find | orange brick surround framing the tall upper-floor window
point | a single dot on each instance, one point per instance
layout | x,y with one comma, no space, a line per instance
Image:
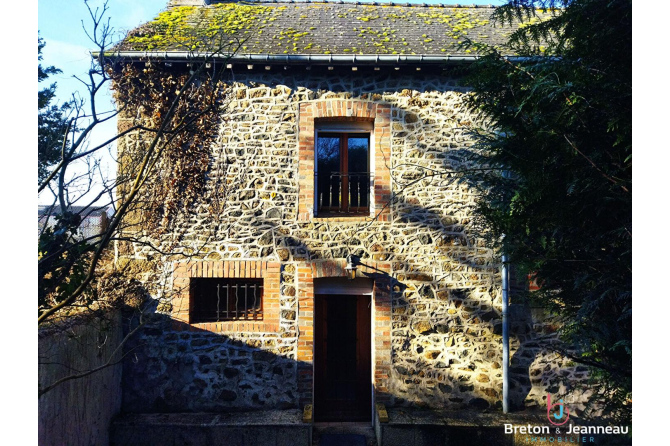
380,148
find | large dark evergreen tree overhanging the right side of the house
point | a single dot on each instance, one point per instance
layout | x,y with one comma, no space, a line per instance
557,134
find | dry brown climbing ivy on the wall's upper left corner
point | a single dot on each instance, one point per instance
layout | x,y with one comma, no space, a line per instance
179,173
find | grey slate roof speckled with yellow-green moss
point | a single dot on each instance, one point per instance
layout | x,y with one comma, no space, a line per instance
316,28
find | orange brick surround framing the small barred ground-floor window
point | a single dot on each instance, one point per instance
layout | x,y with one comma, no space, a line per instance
249,269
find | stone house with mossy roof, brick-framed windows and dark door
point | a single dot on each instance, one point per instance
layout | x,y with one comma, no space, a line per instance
344,145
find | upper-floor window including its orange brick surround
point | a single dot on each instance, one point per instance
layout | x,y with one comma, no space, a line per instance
344,149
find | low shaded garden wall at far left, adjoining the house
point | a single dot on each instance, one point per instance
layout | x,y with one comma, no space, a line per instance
79,412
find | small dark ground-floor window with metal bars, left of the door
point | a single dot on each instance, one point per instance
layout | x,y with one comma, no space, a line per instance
215,300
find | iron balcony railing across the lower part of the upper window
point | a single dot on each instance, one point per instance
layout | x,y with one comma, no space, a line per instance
344,193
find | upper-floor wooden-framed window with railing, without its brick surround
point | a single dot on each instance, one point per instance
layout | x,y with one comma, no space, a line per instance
342,174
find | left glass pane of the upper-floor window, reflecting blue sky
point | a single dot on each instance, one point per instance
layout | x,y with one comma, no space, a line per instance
328,171
